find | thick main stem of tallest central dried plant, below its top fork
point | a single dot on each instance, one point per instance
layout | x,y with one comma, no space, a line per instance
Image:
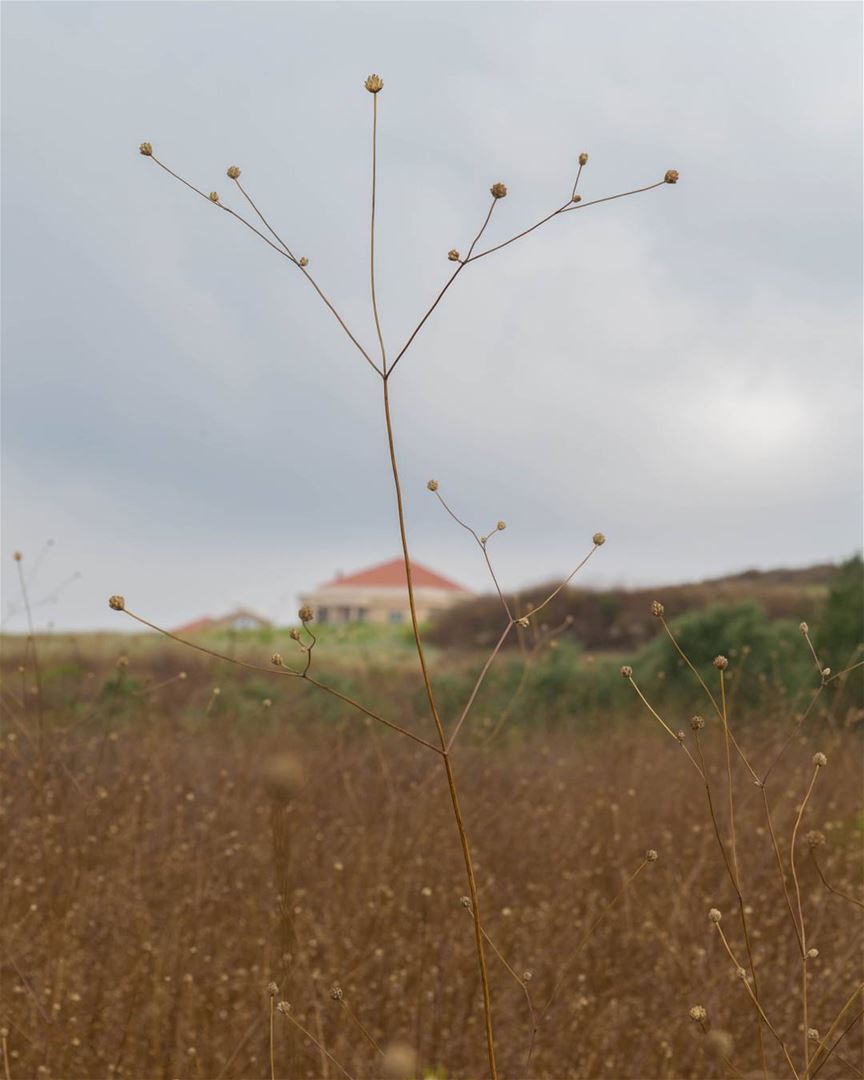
472,885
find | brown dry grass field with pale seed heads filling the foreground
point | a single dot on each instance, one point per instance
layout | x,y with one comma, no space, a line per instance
169,853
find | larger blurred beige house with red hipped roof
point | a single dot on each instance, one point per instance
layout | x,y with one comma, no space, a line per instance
381,595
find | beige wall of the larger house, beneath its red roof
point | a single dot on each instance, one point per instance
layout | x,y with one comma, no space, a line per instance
341,604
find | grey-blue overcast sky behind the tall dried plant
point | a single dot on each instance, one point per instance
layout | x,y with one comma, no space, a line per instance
681,370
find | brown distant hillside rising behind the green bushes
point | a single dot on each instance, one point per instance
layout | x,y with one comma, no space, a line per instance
620,619
